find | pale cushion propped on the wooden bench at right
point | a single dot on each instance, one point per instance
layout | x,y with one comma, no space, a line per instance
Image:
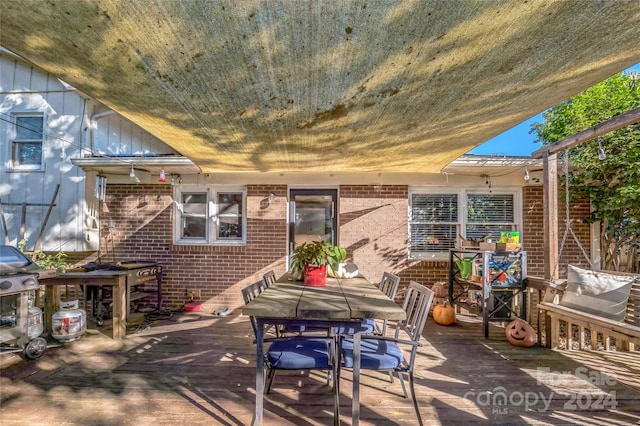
597,293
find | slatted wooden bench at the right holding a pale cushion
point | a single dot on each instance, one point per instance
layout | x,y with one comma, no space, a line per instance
626,333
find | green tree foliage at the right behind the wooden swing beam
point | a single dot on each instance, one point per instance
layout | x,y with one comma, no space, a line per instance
612,184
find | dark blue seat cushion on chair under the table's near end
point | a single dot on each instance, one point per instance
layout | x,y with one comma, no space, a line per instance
299,354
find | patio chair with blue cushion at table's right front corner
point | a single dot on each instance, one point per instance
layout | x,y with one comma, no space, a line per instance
384,353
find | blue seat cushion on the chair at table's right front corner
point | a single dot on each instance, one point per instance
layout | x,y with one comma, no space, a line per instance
374,354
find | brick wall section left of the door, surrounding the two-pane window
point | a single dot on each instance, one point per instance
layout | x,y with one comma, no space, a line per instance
144,231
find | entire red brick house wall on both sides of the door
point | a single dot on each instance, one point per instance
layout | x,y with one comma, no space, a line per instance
373,228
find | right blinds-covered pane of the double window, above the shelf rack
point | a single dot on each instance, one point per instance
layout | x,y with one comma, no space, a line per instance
488,215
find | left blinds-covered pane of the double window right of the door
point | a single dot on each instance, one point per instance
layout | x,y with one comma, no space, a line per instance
433,223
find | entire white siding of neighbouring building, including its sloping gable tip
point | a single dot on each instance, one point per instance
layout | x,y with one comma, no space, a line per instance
72,225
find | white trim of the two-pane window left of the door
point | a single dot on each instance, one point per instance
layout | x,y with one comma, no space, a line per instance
212,216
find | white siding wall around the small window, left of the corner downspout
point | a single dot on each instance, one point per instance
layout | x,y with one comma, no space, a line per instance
26,89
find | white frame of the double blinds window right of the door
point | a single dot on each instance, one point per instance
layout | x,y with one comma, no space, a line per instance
462,220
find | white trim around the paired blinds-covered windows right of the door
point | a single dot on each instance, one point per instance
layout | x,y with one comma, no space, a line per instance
462,213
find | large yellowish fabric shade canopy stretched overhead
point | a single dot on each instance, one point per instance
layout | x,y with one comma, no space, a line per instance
325,85
